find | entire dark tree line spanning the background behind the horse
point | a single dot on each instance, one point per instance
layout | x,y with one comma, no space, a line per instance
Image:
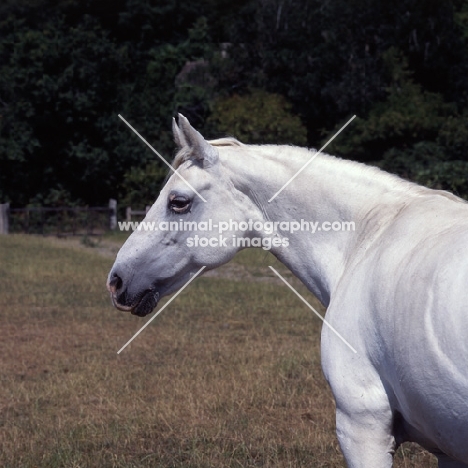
265,71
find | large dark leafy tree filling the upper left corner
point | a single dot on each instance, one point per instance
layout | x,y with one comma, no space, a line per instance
64,79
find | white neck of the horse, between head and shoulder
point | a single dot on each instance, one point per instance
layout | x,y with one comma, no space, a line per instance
328,190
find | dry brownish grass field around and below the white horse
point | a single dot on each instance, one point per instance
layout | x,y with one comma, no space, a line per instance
227,376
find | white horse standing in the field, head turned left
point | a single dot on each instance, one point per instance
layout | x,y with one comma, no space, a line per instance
395,288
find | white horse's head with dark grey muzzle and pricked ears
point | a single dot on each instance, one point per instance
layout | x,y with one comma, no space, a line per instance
175,240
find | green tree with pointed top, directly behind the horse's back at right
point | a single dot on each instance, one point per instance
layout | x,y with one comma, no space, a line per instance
413,133
